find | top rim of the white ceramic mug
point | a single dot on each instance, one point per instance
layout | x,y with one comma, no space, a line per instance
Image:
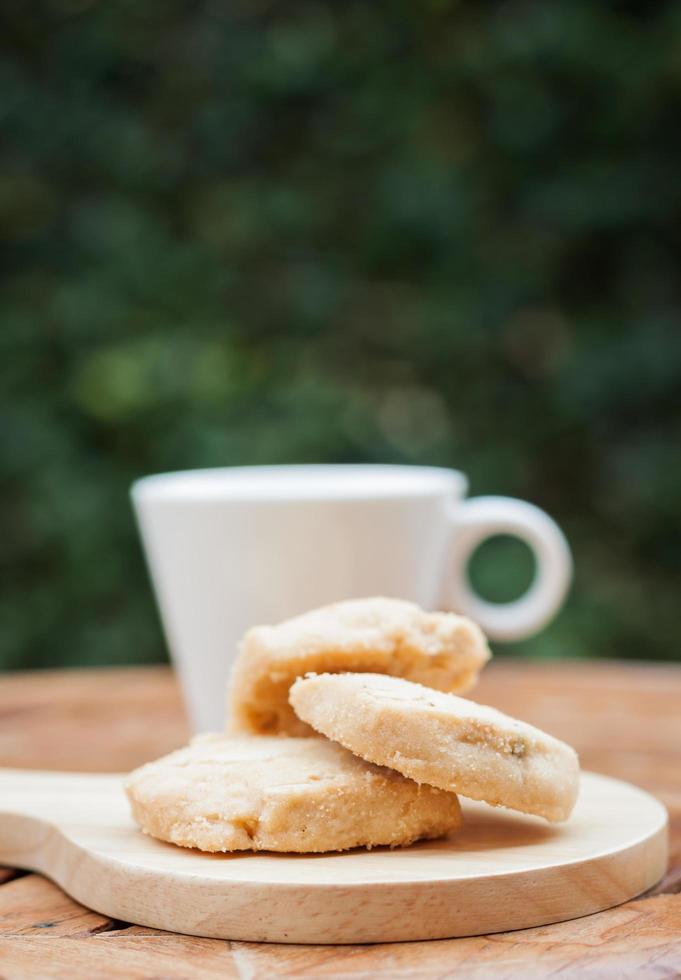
231,484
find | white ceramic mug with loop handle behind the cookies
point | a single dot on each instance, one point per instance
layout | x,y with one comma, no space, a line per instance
235,547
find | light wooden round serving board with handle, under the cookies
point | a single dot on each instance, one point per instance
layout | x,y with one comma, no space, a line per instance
502,871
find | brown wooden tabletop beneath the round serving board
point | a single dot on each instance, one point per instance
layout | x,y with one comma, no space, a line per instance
624,720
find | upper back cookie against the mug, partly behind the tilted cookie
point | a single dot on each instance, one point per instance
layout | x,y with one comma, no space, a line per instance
390,636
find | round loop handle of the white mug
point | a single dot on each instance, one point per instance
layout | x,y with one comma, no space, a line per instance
482,517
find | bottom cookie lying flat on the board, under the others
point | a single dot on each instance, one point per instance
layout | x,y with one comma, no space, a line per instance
260,793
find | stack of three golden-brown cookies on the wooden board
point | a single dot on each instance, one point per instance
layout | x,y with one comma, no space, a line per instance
346,730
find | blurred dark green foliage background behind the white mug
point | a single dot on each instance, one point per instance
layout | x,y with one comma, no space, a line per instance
256,231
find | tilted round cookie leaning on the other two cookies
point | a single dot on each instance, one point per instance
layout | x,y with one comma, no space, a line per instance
442,740
